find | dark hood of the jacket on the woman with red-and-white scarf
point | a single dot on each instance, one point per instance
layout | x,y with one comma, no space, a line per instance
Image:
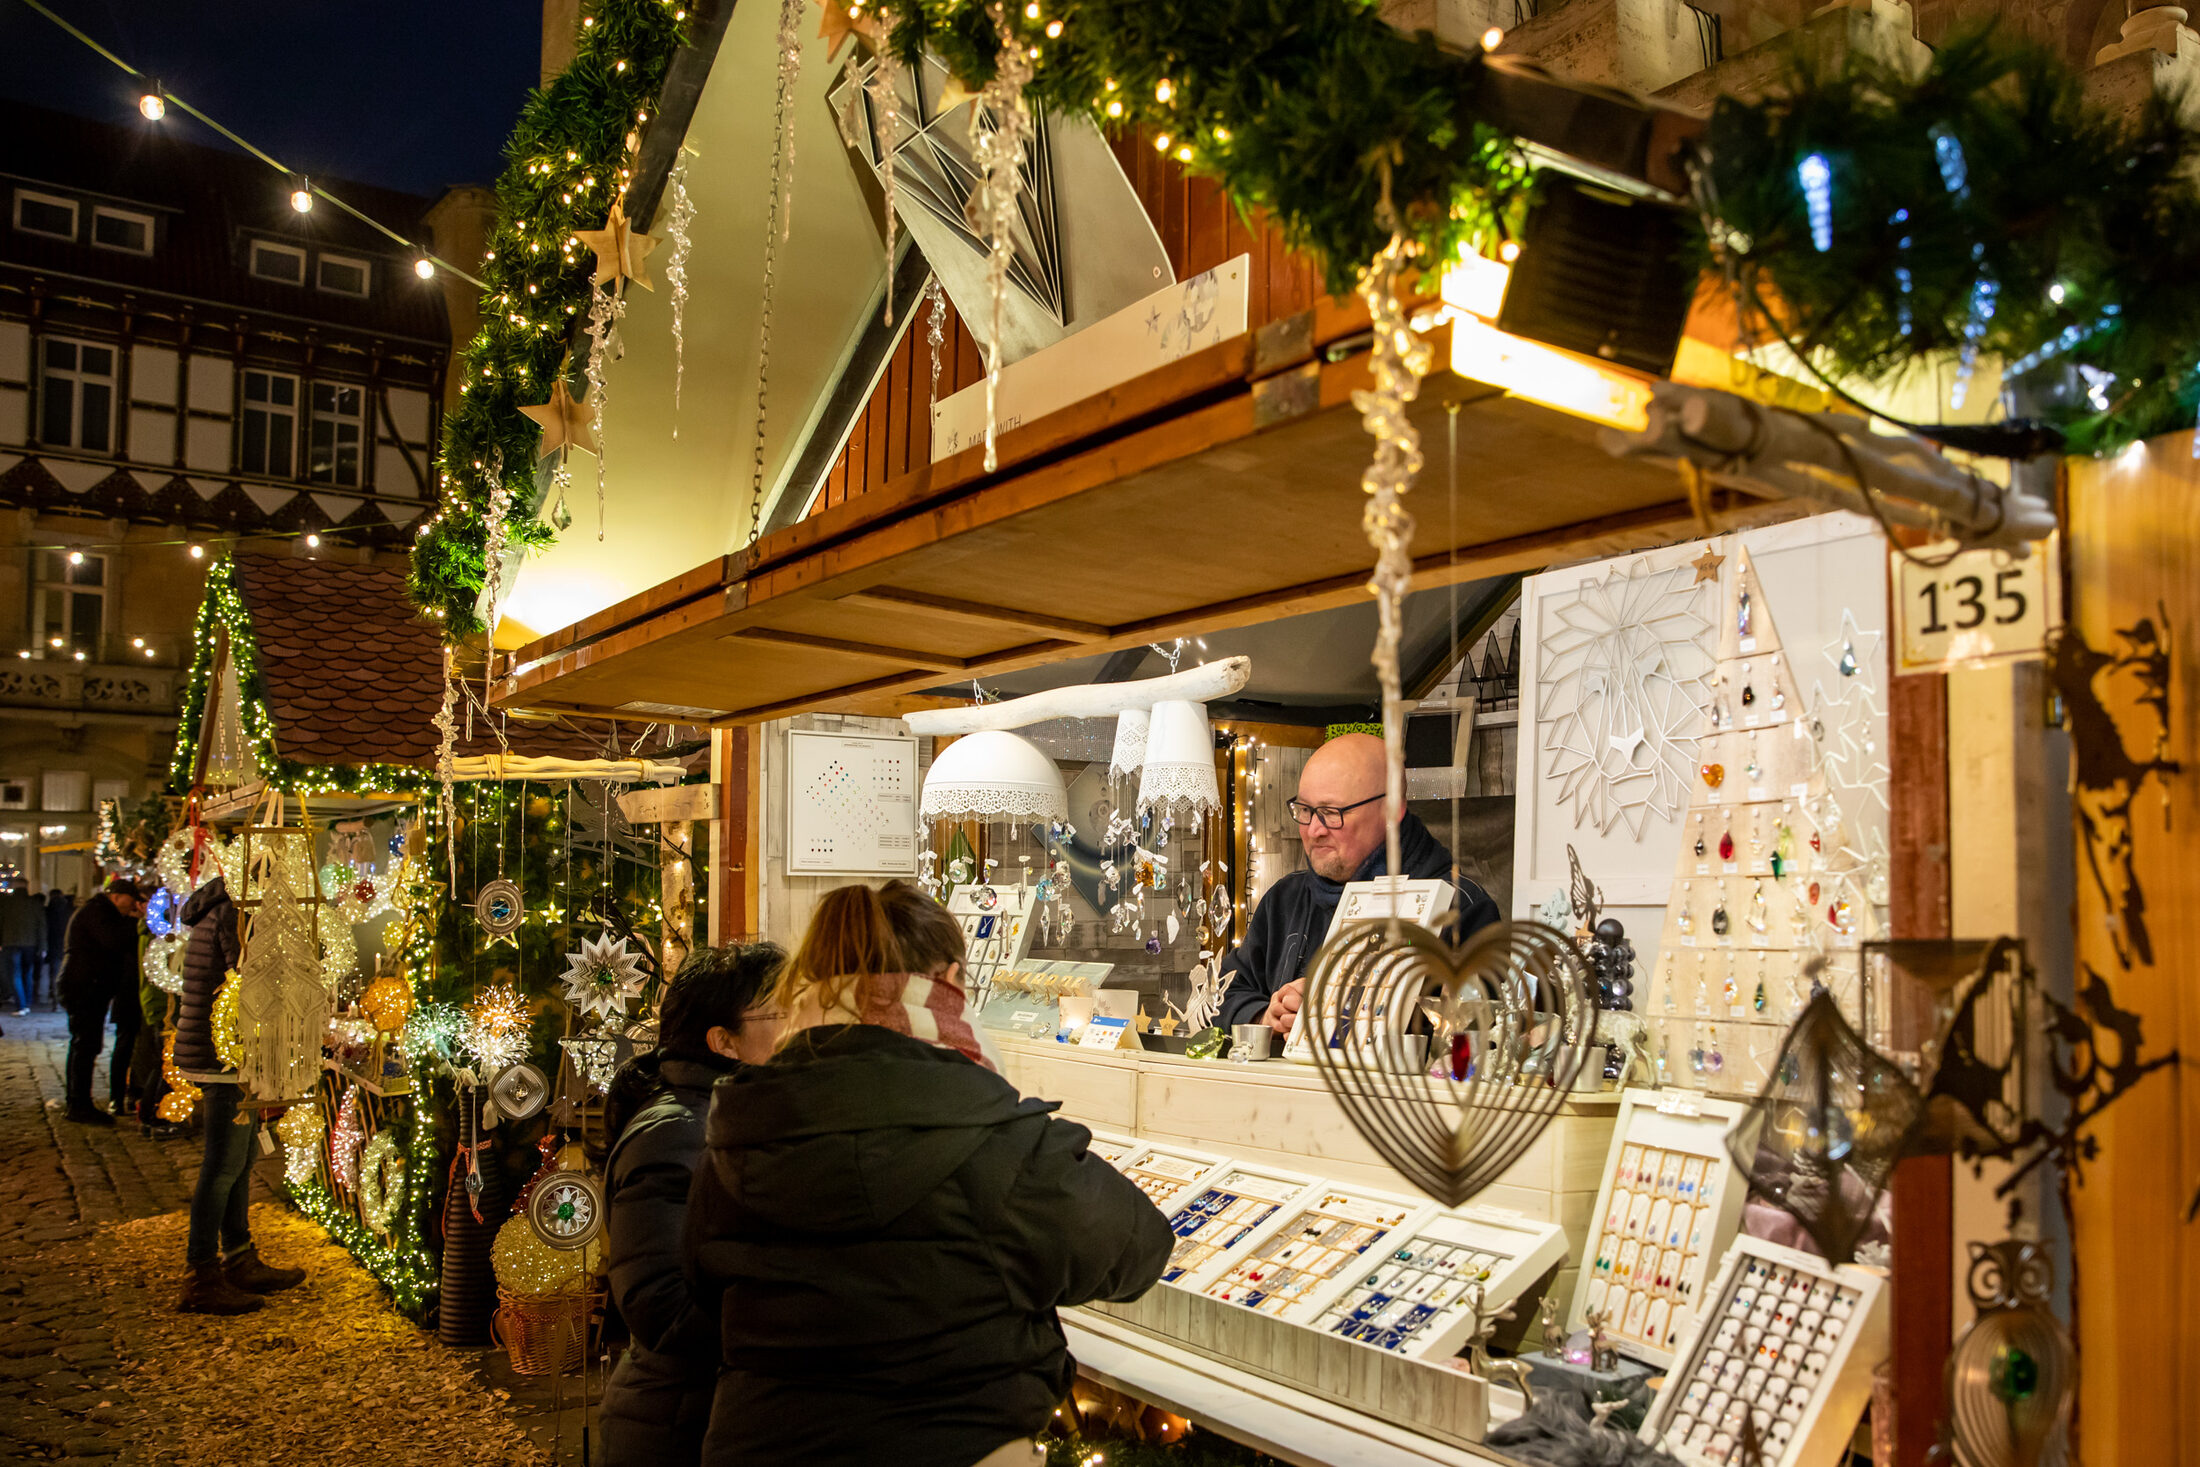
850,1127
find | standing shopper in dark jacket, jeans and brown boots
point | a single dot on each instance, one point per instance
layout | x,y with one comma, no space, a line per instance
225,1270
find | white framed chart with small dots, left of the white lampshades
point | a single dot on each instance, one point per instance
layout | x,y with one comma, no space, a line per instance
852,804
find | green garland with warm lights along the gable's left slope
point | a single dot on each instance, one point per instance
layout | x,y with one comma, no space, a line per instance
564,168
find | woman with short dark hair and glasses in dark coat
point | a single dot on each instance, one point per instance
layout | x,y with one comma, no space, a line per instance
712,1022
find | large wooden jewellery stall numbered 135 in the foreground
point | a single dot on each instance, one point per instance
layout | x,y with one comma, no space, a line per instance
1774,507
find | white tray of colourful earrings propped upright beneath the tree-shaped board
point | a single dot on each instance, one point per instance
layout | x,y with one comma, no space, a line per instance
1669,1206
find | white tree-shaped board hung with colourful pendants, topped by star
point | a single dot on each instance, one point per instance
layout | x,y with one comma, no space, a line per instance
1757,903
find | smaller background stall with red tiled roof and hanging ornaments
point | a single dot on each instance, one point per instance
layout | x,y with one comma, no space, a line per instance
452,931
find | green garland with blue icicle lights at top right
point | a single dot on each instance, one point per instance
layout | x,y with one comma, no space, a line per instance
2076,230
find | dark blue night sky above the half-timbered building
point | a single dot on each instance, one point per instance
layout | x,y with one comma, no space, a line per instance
404,93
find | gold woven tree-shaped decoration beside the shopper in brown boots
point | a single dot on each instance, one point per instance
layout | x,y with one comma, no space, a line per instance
283,1002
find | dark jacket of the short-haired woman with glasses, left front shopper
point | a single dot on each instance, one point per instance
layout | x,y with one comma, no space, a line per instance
659,1400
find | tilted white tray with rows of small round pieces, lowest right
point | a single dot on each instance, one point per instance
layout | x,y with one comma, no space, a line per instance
1785,1341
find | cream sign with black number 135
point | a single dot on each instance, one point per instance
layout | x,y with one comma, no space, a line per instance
1983,606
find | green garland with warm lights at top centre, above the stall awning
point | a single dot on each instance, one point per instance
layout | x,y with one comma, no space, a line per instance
1297,107
